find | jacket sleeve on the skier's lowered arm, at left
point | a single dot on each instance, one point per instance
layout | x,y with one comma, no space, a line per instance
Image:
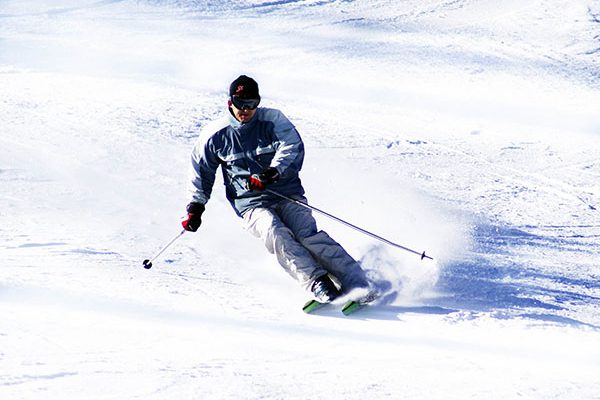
203,168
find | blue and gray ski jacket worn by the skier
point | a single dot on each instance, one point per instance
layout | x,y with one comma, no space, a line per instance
268,140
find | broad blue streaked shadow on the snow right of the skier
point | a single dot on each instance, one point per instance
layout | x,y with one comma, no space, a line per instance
499,281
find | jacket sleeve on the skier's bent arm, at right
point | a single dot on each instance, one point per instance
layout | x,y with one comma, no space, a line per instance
289,148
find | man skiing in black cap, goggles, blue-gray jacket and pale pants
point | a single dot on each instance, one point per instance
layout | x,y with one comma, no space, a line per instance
258,149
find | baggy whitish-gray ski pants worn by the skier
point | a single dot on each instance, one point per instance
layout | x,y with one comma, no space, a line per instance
289,231
